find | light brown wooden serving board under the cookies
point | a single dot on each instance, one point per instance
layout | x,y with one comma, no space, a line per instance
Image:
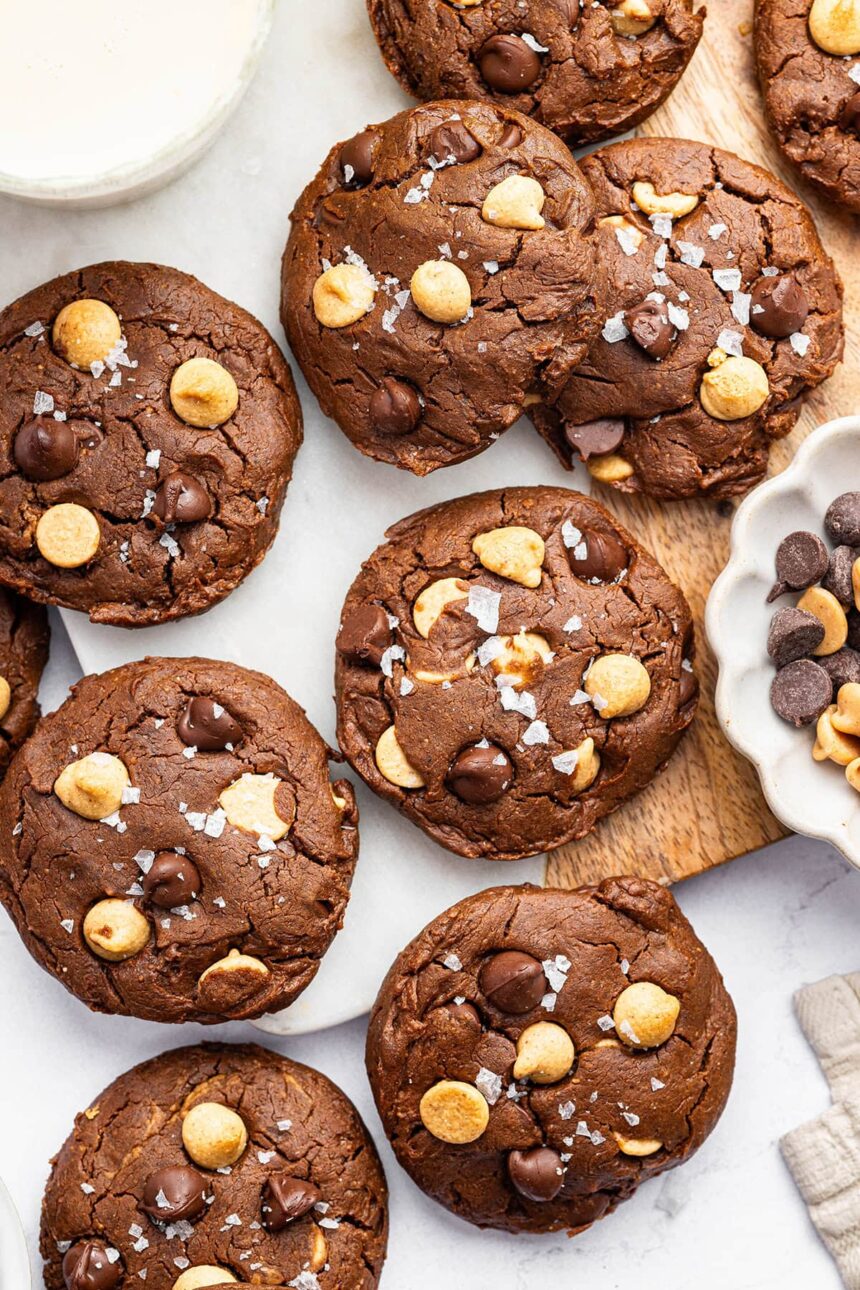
707,808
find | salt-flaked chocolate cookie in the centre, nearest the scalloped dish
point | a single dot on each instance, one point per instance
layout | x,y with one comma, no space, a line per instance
513,666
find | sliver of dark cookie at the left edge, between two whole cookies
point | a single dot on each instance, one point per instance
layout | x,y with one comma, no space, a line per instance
24,653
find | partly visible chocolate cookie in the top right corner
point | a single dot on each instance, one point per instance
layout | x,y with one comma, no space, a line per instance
809,68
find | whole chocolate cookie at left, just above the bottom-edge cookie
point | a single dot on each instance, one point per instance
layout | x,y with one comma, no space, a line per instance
179,852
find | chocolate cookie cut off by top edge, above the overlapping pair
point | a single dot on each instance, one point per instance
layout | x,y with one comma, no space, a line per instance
587,73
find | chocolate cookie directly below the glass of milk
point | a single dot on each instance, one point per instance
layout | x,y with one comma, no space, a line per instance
148,434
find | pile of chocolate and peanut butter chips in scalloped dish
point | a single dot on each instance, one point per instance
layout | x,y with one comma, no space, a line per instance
816,644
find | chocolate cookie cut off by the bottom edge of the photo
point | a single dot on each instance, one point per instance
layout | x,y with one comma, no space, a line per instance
211,1164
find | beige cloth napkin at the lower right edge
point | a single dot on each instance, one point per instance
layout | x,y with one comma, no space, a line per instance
825,1155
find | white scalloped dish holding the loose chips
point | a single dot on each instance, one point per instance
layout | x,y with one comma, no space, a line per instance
809,798
